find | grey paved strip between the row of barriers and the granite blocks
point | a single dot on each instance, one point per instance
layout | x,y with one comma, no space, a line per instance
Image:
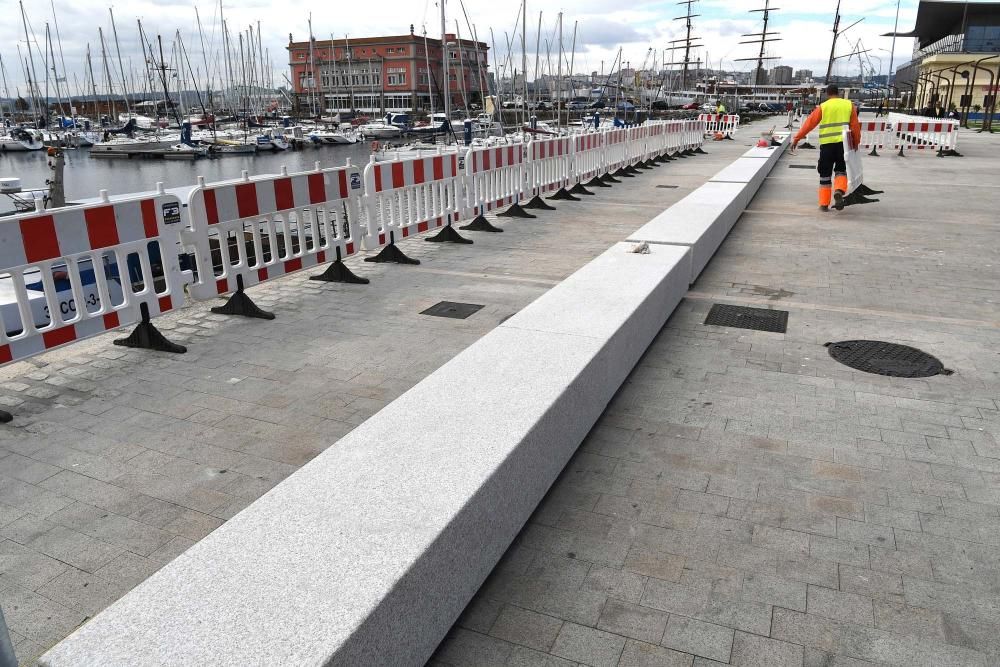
118,459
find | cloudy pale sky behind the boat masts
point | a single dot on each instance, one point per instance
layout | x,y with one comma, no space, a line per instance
640,29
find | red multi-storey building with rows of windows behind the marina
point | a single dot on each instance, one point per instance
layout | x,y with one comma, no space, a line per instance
375,75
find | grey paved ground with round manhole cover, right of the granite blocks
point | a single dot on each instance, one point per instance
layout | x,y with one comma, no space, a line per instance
747,500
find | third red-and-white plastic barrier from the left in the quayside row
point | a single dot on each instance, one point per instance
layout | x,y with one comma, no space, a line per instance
411,196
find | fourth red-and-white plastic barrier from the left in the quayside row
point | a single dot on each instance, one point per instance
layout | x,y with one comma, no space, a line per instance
494,177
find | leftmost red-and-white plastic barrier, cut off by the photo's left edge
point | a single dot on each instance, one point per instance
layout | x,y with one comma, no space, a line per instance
78,271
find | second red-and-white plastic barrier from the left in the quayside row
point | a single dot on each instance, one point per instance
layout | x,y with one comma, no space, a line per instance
256,229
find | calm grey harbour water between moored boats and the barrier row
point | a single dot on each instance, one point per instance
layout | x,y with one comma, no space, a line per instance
85,176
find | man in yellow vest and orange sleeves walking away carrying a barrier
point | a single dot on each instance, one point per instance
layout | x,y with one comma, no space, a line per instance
832,116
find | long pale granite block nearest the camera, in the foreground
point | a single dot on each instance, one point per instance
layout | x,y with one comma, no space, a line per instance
369,553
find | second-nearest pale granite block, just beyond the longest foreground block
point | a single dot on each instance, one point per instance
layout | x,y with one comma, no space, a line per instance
700,222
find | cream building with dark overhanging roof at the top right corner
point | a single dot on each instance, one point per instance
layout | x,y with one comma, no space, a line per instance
956,58
